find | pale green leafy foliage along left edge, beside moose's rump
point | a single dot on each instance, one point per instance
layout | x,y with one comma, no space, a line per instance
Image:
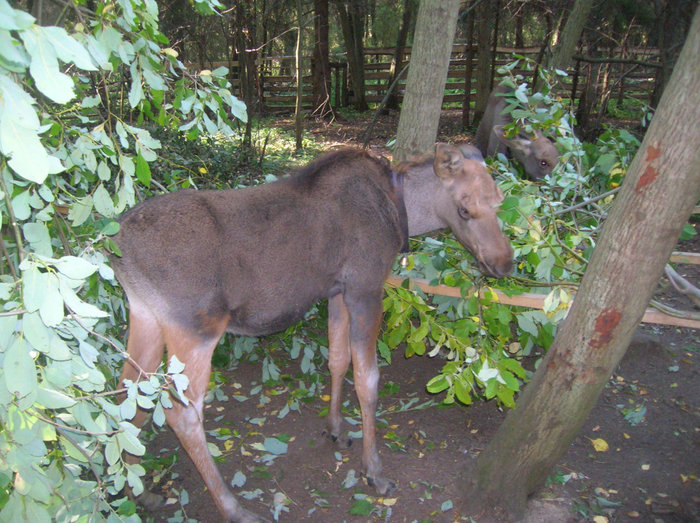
77,106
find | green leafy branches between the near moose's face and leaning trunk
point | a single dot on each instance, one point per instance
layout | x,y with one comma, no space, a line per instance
552,227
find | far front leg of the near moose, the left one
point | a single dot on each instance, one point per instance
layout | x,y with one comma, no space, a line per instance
338,363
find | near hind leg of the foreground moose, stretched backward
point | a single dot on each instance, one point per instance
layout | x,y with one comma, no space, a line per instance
187,420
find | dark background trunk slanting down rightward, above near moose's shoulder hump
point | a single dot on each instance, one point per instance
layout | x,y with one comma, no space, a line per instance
352,23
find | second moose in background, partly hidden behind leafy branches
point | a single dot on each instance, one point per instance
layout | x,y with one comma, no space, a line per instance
537,154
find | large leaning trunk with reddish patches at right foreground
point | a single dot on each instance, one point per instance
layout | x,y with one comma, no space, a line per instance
658,195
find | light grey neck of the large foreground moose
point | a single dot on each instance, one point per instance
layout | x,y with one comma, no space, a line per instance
423,194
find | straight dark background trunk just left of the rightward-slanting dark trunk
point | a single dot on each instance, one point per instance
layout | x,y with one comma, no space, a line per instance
320,65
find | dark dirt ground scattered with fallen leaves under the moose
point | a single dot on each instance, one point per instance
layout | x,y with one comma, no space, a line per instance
648,414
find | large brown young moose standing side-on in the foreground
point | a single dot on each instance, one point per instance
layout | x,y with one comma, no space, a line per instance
195,264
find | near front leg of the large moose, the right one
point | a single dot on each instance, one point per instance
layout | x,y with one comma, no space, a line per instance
365,316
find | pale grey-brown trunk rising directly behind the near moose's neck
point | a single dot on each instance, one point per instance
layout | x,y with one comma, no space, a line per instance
430,60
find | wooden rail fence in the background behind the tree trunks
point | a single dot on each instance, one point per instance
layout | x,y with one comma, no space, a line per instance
630,72
